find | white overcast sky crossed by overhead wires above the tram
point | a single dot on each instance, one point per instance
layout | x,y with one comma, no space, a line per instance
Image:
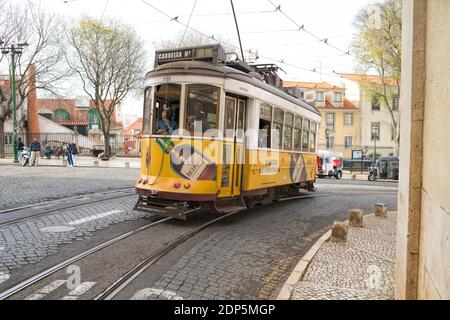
270,32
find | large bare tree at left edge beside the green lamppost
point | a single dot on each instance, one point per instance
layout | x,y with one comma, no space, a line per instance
43,32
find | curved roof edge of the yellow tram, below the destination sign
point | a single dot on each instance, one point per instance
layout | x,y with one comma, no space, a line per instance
214,70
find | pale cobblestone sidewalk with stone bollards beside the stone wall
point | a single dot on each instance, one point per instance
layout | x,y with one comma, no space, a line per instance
363,268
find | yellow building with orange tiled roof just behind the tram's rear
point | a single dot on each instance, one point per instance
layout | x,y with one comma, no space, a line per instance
340,125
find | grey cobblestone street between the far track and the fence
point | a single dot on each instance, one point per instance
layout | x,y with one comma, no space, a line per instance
24,185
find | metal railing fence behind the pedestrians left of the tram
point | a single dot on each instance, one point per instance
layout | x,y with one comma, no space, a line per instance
90,145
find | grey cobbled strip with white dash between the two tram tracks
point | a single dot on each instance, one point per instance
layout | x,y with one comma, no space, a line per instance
26,242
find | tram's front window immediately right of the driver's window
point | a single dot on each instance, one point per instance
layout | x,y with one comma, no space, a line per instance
201,113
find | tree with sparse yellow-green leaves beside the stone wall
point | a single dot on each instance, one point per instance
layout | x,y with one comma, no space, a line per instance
377,46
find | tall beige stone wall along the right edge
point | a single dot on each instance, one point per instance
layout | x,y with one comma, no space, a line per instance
423,245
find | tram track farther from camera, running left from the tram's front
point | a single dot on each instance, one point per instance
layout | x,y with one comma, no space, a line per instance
62,208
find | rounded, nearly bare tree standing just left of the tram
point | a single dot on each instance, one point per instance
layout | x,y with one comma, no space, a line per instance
109,58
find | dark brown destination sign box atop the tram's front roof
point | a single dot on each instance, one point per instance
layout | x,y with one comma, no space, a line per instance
209,53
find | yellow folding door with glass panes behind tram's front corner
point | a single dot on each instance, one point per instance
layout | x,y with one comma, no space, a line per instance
233,147
